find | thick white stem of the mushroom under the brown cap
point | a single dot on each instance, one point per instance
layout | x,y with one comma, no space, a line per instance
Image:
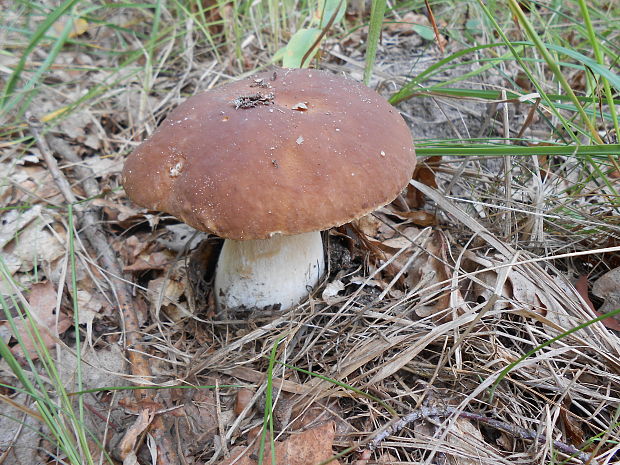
262,273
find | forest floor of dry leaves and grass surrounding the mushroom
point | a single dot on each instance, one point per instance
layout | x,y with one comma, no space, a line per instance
467,322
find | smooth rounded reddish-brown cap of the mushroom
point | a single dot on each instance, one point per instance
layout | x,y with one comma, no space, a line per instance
284,152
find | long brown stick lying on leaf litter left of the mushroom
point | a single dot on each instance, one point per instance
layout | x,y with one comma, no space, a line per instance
89,223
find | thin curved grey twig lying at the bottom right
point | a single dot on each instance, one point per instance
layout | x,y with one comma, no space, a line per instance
513,430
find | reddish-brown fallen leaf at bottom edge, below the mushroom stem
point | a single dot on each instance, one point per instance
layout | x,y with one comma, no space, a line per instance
308,448
